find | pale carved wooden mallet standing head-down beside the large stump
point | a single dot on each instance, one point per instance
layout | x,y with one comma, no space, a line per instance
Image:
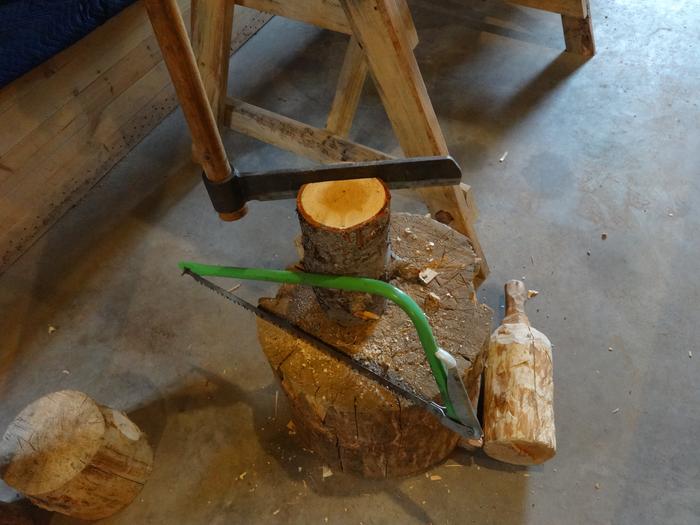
518,393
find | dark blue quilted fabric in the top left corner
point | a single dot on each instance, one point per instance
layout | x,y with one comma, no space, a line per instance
32,31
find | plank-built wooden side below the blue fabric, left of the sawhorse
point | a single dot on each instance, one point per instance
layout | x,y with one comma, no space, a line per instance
71,119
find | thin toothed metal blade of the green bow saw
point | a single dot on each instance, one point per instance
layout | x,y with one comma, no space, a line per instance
334,352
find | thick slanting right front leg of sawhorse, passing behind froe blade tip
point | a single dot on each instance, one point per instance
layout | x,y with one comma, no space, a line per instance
378,26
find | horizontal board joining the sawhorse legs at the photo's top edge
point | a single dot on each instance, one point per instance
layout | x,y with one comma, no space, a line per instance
322,13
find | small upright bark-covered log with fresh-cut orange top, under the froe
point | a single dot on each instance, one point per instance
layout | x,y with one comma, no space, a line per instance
345,231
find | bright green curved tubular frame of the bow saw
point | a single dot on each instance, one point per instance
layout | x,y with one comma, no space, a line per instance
349,284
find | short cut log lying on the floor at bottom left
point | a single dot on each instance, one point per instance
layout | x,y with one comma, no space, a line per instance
70,455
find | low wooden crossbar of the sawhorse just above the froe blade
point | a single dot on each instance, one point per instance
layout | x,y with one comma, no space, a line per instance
297,137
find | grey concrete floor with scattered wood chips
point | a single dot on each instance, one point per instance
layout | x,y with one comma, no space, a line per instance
610,145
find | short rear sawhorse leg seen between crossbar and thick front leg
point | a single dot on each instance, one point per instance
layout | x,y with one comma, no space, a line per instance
347,93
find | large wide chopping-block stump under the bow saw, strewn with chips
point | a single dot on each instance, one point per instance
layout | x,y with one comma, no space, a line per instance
353,423
